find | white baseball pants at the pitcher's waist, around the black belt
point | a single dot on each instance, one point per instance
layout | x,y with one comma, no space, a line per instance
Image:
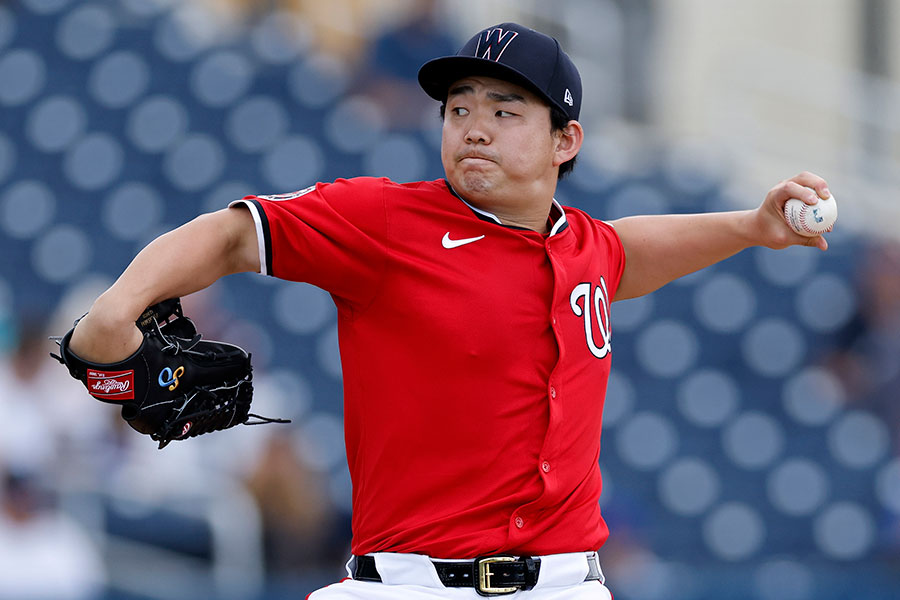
412,577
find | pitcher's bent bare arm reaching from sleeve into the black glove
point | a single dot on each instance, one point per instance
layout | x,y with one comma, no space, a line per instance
180,262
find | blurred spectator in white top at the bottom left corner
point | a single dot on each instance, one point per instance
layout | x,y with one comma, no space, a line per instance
43,552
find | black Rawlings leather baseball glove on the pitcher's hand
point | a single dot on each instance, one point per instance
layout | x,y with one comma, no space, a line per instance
176,385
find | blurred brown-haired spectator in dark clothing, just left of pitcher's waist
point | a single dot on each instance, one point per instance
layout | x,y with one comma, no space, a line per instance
301,529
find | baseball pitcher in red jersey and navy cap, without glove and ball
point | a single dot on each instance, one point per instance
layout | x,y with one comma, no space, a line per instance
474,326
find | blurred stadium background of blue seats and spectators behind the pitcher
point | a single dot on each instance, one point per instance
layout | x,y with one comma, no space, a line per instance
751,429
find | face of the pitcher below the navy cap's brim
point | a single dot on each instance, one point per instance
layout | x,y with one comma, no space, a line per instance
496,145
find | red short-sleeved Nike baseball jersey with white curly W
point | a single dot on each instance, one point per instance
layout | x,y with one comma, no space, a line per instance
475,360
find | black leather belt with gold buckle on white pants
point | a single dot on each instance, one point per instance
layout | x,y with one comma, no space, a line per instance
489,575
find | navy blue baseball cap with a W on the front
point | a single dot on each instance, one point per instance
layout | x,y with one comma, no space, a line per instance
513,53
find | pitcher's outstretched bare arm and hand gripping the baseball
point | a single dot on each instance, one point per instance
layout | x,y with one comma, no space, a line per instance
661,248
